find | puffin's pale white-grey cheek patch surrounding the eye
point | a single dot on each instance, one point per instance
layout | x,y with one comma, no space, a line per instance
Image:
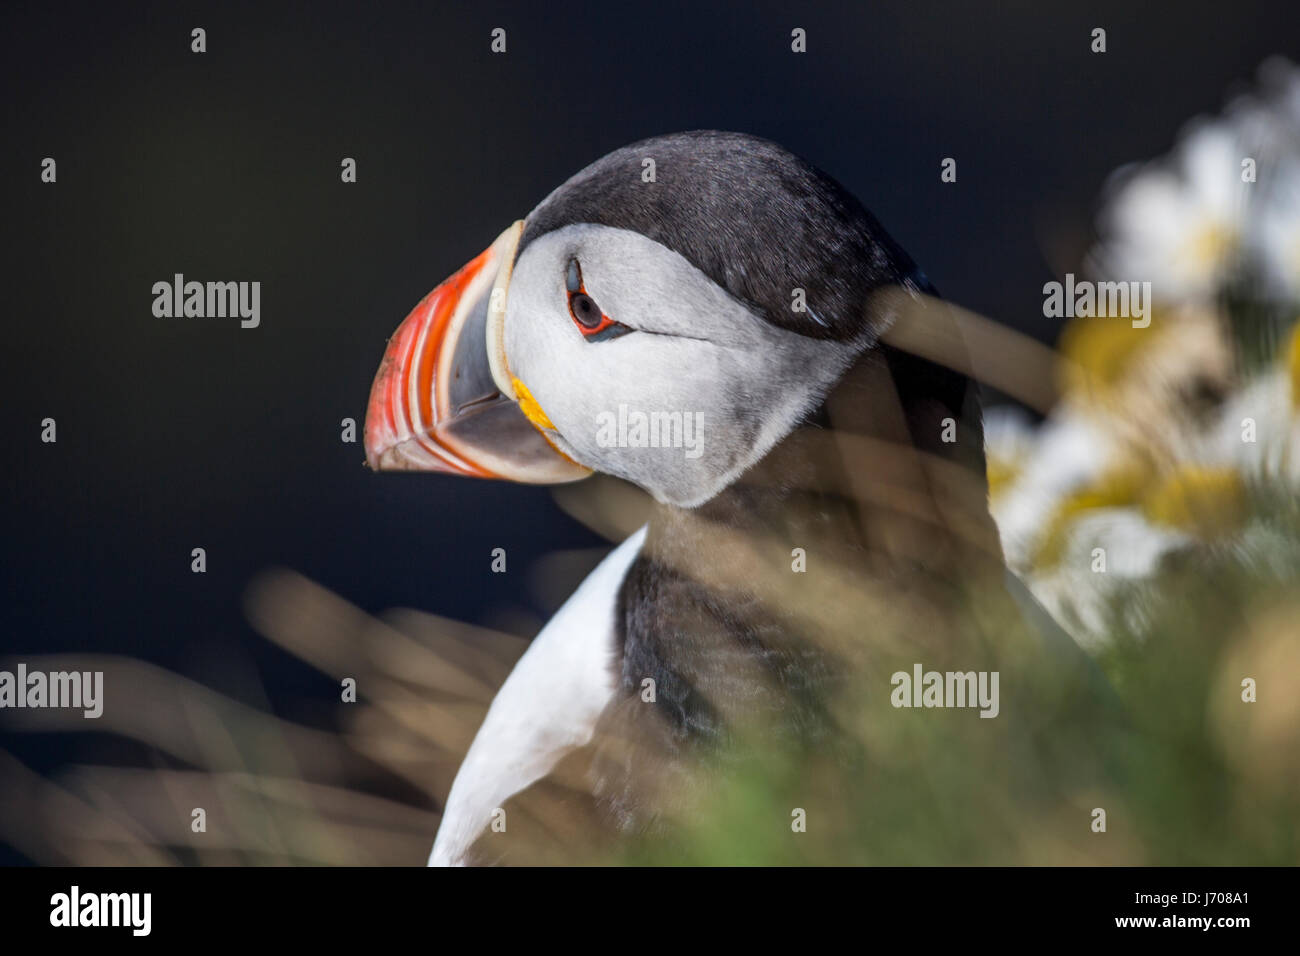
683,406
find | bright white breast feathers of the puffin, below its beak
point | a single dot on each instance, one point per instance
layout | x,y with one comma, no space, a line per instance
548,706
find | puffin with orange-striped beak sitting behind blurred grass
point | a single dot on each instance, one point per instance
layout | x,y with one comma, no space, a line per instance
747,293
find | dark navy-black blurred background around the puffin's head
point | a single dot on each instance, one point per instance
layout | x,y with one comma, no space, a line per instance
180,434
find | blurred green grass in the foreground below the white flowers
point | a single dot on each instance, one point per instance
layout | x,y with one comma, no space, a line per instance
1188,772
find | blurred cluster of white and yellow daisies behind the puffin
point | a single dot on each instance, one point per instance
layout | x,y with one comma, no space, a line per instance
1182,438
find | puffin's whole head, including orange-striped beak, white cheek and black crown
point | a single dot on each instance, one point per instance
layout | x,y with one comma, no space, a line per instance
666,317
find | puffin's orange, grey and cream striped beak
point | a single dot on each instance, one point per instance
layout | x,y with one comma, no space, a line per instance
435,405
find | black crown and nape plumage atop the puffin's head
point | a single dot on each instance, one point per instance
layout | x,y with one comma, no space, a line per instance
756,219
